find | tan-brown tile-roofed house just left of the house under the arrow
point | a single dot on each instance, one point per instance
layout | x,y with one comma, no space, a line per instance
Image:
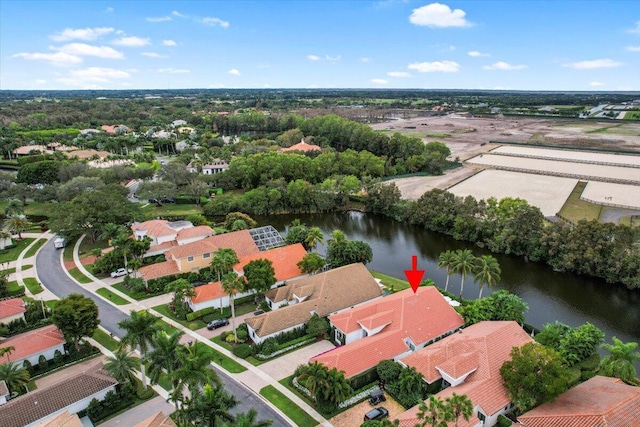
322,294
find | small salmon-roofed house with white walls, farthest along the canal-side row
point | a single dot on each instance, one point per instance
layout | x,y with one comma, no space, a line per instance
164,234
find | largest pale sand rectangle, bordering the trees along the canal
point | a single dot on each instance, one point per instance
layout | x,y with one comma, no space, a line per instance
546,192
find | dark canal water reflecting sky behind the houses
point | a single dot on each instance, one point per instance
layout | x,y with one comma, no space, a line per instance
551,295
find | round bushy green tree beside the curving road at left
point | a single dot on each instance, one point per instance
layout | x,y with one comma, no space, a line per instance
76,316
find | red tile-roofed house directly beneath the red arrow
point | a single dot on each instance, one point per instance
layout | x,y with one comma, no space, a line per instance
389,328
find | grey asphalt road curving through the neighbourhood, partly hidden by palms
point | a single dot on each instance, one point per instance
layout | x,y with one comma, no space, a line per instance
55,279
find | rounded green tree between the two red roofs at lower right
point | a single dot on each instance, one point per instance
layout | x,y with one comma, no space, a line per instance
534,375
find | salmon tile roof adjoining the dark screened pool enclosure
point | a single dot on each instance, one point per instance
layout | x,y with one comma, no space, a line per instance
240,241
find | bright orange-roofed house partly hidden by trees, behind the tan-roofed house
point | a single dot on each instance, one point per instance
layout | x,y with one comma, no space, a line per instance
283,259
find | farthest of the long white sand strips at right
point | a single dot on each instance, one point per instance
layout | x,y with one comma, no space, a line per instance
569,155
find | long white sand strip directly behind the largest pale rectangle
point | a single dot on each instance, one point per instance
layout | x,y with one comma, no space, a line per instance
582,170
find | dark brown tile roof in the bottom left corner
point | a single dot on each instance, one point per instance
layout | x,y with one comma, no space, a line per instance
37,404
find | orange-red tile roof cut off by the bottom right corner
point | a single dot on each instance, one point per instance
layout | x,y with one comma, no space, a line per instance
599,401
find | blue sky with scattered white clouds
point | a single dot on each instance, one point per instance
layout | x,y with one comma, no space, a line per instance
520,45
